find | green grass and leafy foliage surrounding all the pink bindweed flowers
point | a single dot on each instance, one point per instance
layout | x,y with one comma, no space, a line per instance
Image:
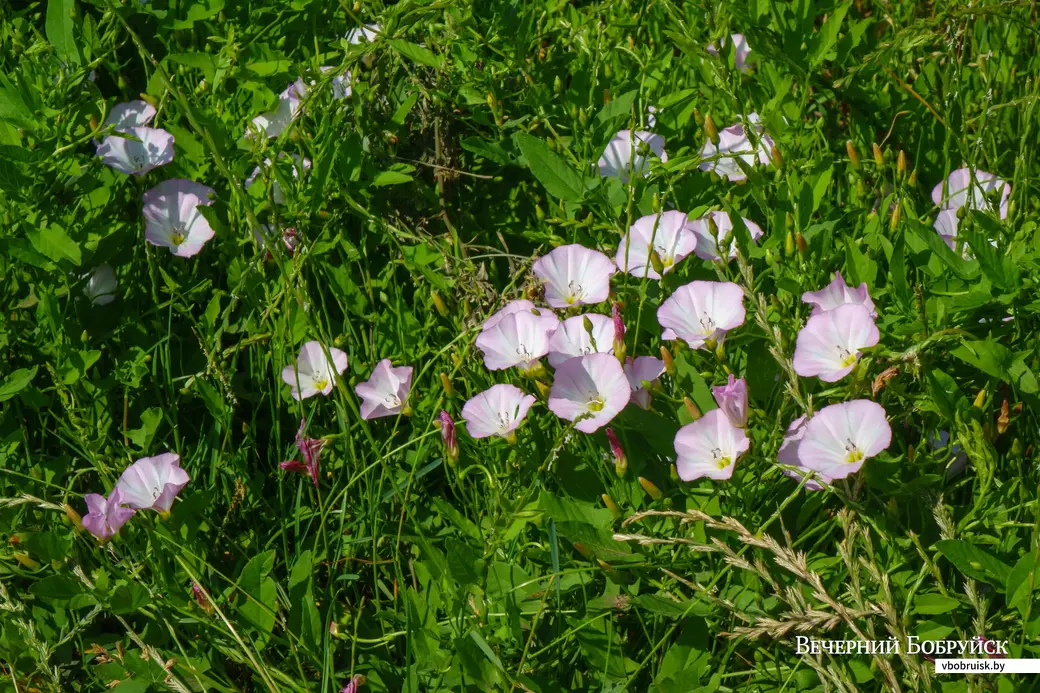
420,218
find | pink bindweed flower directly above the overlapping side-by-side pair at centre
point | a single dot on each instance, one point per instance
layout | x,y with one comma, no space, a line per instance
575,276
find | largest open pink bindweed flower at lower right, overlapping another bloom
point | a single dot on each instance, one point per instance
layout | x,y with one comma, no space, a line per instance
840,439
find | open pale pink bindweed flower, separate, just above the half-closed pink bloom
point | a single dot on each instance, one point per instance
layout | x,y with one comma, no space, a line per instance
701,312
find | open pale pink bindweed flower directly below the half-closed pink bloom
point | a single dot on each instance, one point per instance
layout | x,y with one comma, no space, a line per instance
710,448
